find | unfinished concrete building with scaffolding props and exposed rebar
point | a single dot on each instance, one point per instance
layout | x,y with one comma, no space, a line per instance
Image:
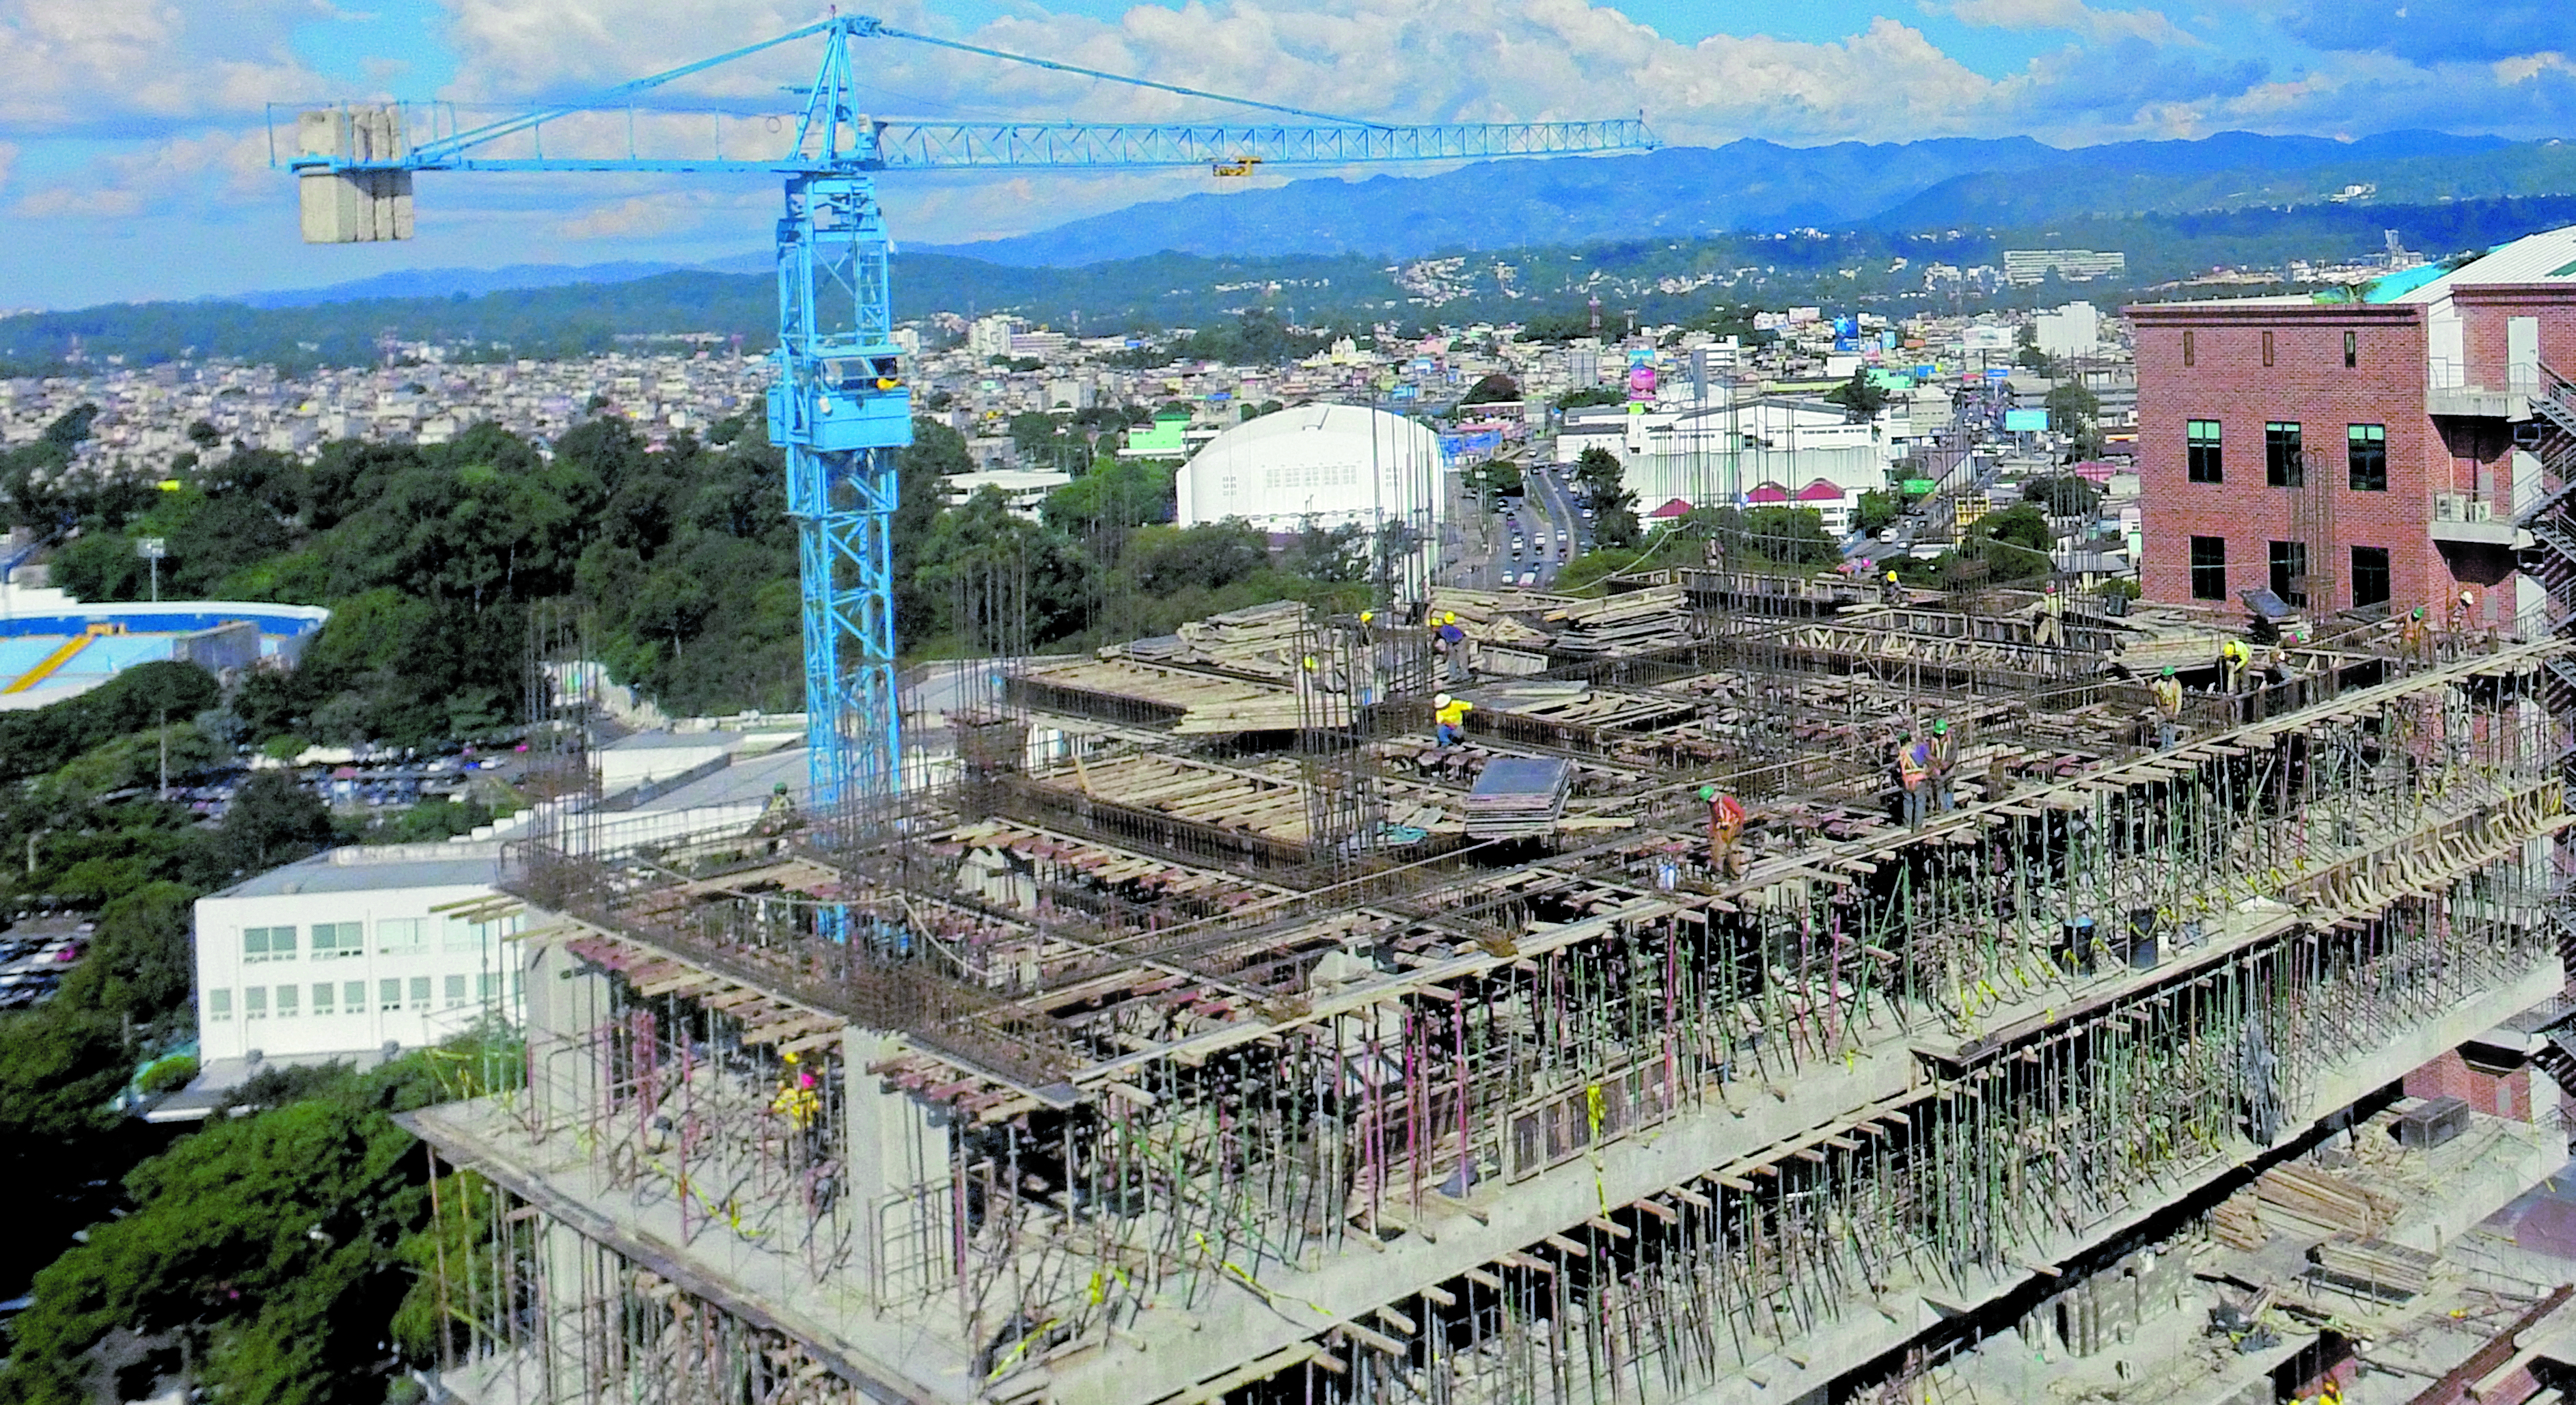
1212,1035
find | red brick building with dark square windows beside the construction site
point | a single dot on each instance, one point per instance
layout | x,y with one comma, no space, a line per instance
2356,452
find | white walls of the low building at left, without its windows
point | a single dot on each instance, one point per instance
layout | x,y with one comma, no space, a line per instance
442,983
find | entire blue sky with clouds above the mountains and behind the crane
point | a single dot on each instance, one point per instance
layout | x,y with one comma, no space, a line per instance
135,148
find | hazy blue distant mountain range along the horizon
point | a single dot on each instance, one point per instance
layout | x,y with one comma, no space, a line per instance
1689,192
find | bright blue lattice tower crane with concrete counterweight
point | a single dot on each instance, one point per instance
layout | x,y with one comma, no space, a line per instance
838,406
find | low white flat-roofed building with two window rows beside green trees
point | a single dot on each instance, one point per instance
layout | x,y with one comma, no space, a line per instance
354,950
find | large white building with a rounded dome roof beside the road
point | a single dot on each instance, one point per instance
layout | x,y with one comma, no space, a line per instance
1325,465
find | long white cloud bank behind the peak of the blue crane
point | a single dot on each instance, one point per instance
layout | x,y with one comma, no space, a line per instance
1403,61
